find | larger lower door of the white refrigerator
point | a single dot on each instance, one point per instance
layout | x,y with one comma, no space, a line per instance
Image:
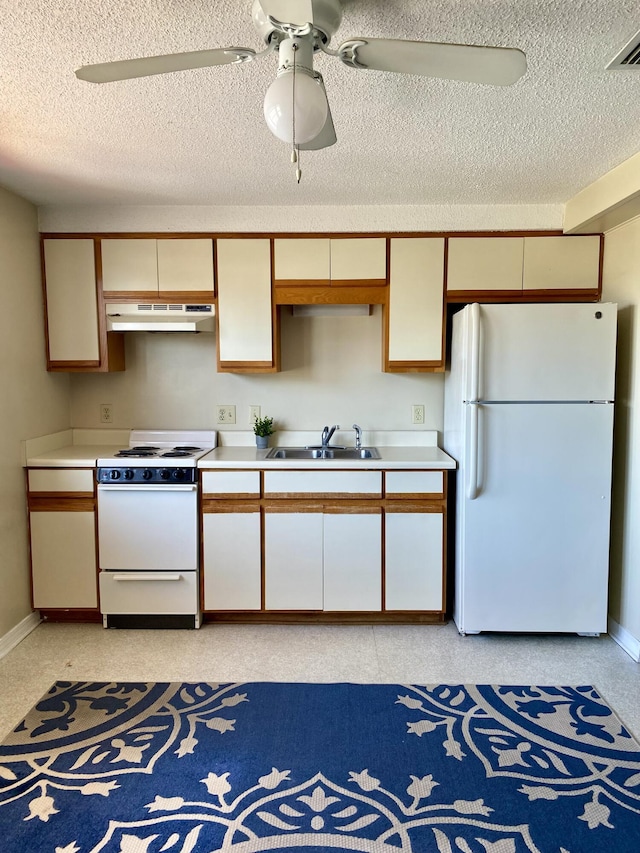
532,549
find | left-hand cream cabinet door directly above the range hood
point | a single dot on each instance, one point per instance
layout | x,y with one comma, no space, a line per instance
129,265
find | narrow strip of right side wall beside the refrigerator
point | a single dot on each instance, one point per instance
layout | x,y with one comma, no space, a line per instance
621,284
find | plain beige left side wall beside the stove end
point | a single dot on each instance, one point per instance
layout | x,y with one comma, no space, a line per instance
34,402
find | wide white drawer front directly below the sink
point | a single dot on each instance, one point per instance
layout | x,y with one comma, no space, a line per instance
293,483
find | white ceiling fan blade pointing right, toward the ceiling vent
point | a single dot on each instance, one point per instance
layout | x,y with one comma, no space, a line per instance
497,66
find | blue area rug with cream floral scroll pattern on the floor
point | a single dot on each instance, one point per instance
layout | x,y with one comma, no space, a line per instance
196,768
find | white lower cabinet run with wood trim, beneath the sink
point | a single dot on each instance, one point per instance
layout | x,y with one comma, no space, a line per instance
348,542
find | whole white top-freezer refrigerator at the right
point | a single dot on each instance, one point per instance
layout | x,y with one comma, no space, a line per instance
529,419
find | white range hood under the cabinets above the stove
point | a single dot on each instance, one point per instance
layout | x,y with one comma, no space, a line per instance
152,317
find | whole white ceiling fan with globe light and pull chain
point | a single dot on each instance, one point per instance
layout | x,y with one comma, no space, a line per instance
296,108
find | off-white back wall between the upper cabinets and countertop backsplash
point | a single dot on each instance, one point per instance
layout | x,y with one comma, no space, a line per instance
331,373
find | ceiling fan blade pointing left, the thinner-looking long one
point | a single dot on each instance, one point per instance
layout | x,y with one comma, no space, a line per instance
128,69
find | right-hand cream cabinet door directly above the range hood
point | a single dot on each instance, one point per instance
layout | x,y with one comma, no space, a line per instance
185,265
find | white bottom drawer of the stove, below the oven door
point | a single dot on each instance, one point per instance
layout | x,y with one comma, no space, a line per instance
157,593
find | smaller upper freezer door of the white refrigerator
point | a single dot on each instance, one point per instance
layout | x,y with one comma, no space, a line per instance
541,352
